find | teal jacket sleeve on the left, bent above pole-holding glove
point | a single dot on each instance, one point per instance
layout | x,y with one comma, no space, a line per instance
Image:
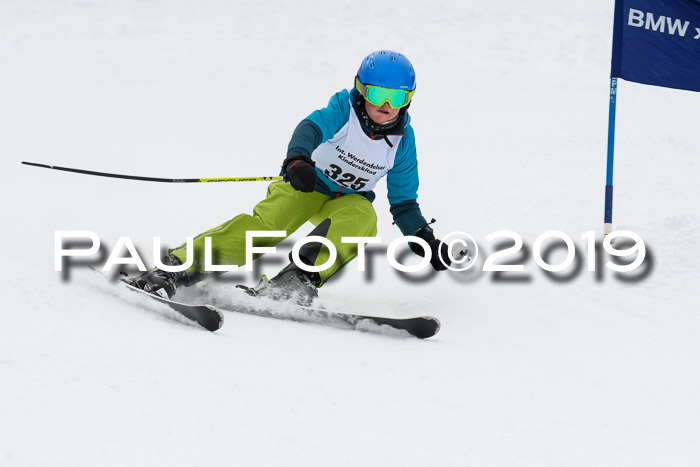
320,126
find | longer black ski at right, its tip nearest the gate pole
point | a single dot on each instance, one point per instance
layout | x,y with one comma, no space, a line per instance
421,327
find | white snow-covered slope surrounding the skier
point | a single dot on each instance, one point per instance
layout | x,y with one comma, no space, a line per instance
511,124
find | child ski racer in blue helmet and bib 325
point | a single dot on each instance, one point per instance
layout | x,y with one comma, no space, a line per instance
335,158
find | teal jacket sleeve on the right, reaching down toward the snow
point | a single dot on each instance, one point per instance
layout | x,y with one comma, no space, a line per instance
402,187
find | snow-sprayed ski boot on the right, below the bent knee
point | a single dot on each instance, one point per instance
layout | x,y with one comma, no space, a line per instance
290,284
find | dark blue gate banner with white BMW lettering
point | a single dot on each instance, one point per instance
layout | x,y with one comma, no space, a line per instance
657,42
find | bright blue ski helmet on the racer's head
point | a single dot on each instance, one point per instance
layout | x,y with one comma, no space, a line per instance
387,69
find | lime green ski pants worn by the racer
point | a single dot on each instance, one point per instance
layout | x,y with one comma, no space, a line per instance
287,209
